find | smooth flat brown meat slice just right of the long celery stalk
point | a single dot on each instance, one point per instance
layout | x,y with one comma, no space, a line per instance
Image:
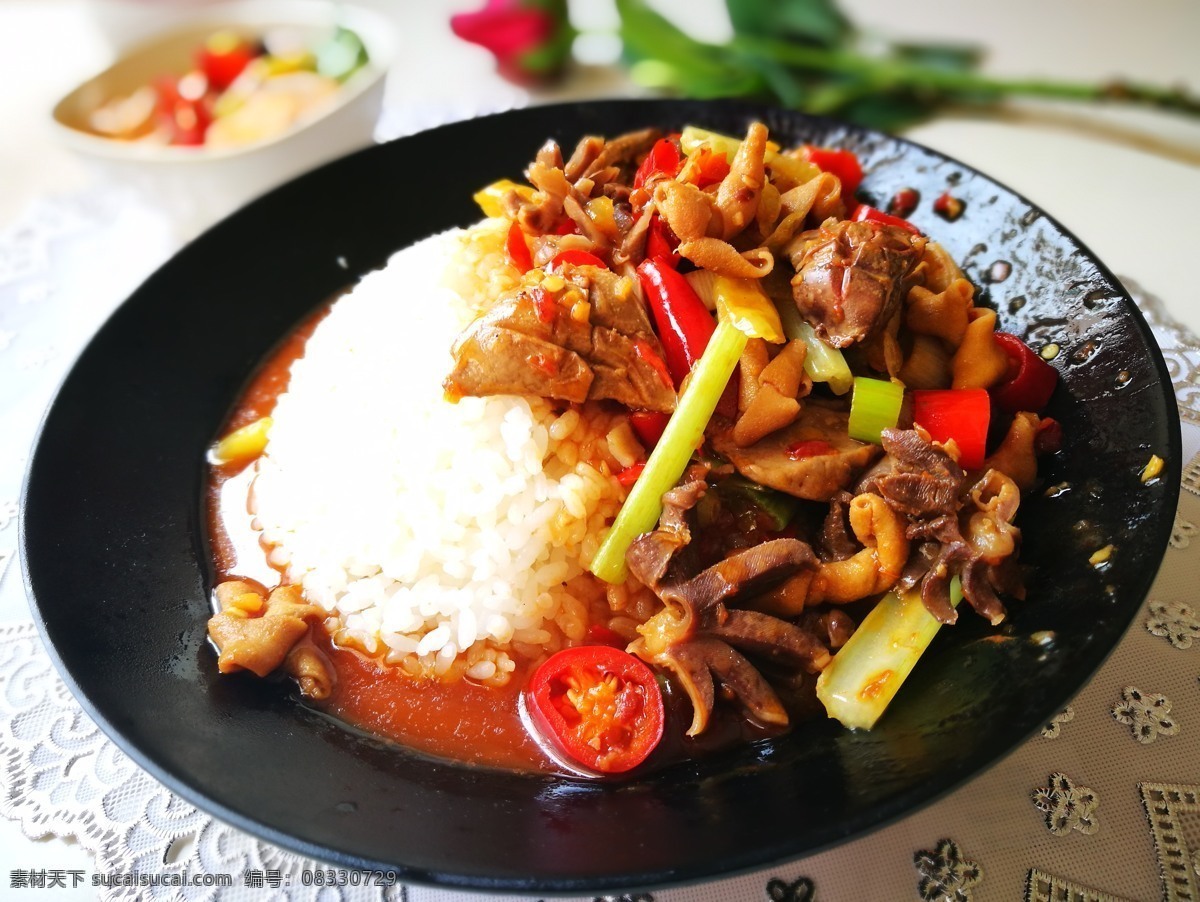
813,459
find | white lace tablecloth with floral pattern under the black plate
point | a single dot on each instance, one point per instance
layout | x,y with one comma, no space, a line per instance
1103,805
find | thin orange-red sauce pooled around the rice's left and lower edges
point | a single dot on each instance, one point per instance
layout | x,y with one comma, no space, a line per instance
461,720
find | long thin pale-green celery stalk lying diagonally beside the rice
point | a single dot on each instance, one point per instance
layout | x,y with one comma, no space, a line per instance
685,431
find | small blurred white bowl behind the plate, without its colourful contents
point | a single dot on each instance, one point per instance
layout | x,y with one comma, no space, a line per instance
199,187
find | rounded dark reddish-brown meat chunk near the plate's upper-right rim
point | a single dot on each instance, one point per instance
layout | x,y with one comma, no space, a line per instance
851,278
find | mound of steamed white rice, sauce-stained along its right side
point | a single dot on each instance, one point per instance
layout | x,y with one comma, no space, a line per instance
440,537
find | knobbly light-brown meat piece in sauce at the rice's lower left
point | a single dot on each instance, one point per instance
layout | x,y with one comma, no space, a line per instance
256,634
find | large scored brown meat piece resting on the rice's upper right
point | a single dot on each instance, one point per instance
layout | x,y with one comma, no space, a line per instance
561,346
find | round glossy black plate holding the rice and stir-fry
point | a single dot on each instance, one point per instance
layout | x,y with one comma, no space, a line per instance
116,554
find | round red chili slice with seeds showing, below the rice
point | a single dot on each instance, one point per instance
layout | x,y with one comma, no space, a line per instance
599,706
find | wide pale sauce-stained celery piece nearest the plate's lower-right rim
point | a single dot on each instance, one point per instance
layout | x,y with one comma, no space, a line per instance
869,670
